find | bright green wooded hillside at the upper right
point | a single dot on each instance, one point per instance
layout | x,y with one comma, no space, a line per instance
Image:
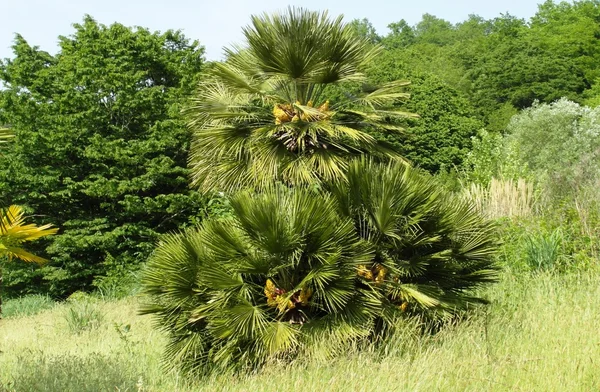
507,63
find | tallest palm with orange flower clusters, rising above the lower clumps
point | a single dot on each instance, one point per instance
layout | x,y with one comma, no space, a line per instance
268,113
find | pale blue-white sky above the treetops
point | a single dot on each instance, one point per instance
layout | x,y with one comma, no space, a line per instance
217,23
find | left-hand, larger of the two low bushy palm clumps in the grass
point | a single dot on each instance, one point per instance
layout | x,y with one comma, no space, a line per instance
239,291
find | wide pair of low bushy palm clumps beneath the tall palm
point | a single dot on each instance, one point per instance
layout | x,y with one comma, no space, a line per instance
294,266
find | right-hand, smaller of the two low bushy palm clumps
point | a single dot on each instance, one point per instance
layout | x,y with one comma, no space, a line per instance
431,249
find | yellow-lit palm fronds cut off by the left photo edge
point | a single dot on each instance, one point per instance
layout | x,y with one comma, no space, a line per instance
14,233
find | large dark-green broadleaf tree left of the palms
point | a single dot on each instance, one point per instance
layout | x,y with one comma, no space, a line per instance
100,147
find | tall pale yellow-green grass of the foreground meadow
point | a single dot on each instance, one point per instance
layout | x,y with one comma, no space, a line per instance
540,334
